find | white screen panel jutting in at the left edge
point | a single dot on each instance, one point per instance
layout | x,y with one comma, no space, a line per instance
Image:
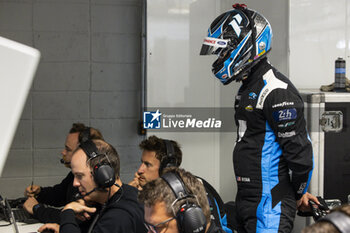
18,64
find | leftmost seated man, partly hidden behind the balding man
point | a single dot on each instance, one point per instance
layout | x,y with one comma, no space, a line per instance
64,192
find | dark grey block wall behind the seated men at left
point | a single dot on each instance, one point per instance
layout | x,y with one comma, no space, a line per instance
89,72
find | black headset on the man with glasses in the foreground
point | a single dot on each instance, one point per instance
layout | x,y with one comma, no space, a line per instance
190,217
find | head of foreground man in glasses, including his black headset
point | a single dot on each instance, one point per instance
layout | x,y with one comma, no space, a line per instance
176,203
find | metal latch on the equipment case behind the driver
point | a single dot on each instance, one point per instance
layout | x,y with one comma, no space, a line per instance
332,121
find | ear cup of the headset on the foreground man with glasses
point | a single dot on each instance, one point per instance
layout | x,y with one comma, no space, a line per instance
191,219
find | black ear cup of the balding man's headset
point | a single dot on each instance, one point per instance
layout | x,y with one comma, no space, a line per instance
104,175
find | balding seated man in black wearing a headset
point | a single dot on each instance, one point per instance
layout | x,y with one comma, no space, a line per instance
96,166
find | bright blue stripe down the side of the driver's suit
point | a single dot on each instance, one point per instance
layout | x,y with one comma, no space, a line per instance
268,217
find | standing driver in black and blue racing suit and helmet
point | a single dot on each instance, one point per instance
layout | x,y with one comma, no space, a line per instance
273,158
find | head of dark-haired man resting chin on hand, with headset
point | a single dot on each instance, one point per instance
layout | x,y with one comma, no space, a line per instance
154,158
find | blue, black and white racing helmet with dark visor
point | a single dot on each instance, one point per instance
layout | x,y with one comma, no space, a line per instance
240,37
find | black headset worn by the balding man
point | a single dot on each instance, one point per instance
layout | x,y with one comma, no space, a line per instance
103,173
